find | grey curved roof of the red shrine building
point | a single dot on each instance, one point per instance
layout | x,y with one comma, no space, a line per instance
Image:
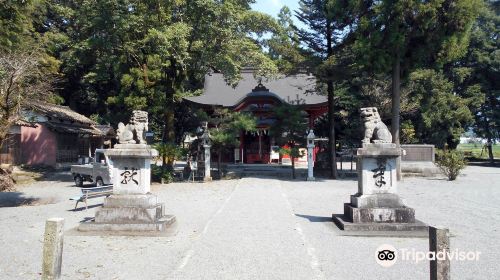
287,88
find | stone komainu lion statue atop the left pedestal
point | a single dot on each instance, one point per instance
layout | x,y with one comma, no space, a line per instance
133,133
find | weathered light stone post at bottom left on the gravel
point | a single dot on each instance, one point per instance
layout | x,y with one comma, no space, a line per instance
52,249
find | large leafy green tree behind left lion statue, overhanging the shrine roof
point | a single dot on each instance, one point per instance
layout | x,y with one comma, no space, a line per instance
125,55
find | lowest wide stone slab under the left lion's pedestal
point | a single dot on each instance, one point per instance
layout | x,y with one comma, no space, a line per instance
158,226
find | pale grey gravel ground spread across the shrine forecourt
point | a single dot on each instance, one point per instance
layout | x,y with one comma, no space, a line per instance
253,228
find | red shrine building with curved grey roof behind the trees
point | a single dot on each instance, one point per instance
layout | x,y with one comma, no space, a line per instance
259,99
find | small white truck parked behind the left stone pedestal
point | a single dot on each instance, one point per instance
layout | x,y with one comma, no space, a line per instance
97,171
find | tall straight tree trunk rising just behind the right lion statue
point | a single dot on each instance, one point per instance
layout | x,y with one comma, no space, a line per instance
396,102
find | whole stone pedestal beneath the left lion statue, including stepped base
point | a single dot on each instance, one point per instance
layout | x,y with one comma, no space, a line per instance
131,208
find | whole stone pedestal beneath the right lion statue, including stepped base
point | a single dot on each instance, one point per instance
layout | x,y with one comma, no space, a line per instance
377,206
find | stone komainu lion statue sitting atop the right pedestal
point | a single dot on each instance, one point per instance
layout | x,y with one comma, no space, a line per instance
375,130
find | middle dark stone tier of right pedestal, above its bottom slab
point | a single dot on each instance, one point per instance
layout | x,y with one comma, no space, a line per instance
379,215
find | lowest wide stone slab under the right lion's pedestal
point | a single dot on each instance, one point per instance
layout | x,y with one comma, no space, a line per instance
415,229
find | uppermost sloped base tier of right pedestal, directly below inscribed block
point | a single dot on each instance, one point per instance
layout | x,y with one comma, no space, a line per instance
388,200
